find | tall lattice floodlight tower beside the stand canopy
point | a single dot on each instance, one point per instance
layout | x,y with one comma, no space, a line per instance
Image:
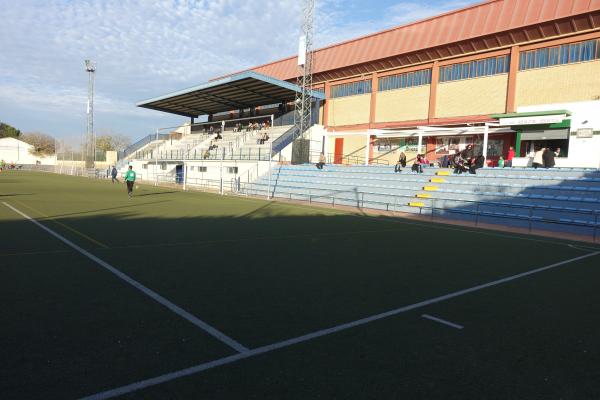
302,103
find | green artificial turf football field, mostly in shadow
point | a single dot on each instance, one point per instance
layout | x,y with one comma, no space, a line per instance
268,280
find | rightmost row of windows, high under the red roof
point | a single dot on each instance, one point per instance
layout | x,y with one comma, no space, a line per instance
565,54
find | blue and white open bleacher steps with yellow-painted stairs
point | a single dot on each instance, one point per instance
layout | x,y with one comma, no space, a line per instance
514,197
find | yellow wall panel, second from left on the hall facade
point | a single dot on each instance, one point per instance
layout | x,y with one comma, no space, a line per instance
402,104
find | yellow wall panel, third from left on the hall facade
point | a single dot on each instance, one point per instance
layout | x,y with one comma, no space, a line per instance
478,96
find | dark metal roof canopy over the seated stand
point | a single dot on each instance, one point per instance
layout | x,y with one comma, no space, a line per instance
240,91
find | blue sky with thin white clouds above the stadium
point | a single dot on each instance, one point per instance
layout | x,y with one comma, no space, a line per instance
147,48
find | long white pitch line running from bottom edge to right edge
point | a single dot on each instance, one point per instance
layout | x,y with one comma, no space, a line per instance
304,338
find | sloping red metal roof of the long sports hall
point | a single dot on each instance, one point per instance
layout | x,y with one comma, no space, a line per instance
476,21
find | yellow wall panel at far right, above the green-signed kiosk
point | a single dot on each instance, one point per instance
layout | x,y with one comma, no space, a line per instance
560,84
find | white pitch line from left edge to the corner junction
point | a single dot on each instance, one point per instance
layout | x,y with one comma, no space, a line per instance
148,292
